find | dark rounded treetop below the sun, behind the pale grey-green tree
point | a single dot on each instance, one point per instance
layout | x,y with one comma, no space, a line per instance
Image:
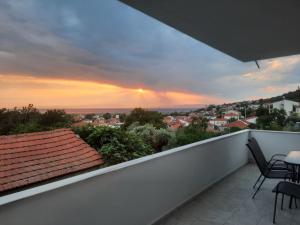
143,117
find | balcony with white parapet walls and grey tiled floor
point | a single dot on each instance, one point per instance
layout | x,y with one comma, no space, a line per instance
208,182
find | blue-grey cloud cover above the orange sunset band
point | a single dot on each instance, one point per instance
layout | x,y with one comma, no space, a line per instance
108,42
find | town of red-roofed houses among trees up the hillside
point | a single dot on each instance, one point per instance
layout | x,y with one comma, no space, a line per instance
219,118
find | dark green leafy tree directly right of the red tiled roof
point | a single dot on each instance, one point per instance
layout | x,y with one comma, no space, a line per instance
115,145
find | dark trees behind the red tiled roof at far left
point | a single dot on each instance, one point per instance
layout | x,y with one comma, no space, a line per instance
29,119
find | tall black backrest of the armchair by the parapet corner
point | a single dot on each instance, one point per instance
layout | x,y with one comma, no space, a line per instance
258,155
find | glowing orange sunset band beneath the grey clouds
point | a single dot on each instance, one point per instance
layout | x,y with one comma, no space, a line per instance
18,90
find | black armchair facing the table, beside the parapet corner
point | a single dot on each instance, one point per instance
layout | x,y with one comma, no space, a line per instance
273,169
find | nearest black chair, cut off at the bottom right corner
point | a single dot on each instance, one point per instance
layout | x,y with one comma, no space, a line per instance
286,188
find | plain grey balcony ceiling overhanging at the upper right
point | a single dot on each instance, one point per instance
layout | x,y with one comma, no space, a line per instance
246,30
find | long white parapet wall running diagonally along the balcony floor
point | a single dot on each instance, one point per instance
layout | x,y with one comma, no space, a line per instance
138,192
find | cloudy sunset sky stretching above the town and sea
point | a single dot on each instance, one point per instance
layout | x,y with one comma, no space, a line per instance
104,54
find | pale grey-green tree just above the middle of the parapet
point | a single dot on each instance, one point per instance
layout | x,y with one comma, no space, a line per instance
159,139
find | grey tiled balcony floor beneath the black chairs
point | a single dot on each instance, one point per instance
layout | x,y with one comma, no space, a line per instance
229,202
